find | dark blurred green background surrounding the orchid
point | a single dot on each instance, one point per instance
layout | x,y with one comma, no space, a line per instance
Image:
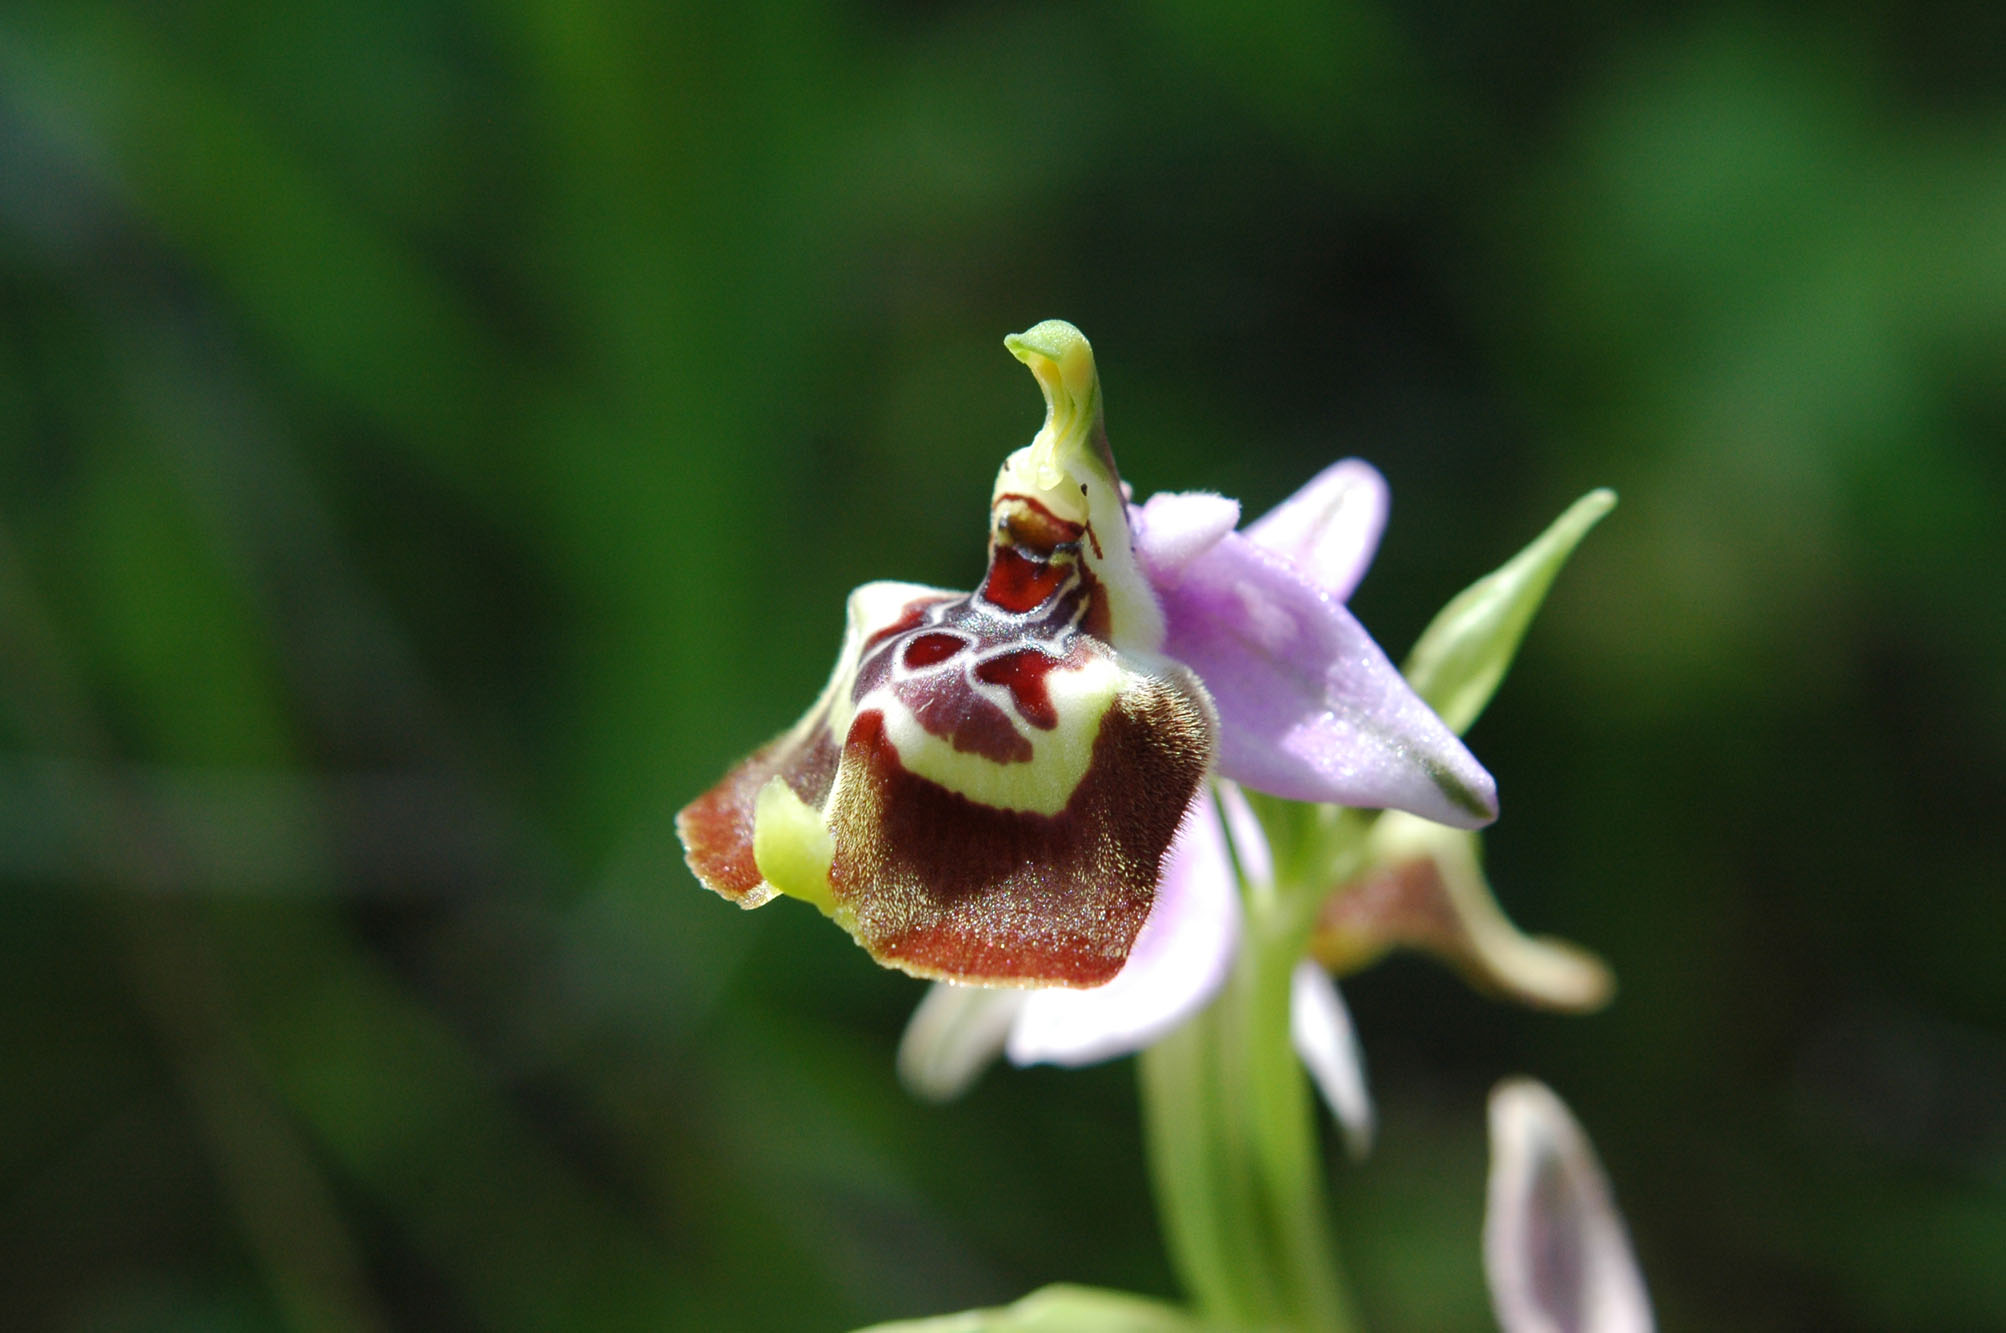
436,440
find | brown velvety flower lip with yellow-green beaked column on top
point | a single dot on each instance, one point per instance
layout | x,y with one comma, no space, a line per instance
992,781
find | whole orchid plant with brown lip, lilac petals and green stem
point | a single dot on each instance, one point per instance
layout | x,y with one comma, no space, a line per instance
1040,795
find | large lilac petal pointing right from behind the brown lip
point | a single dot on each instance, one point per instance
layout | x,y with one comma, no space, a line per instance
1309,705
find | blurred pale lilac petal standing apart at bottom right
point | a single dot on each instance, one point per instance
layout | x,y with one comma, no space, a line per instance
1556,1252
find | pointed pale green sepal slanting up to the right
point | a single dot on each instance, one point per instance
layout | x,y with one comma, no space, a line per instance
1463,654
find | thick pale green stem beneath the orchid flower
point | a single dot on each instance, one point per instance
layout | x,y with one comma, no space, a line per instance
1231,1124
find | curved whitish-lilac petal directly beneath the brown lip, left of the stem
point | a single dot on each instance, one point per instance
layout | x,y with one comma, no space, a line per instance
1179,961
